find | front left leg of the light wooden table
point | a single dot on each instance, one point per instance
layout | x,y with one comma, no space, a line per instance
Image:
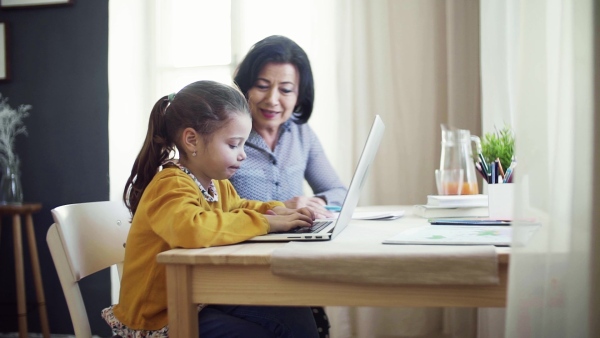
183,313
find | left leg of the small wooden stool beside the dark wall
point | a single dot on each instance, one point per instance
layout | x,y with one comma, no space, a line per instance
20,277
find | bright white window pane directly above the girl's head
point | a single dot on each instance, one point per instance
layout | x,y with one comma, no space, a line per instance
193,42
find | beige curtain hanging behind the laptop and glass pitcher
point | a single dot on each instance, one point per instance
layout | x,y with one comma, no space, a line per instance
415,63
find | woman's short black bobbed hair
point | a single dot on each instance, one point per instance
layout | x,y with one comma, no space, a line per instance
279,49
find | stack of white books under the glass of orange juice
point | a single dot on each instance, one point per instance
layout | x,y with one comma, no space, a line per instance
453,206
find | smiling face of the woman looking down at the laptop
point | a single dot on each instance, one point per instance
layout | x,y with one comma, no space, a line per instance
274,95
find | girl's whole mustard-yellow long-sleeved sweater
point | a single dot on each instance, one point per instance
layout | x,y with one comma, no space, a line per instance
172,213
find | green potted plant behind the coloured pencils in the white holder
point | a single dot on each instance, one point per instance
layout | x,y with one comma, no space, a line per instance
501,145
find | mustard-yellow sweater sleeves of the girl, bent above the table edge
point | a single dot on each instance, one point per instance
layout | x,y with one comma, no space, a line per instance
179,214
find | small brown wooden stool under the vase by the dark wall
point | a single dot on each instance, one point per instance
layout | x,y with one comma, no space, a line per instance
16,211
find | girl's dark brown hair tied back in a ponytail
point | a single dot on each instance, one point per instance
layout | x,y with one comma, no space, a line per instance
205,106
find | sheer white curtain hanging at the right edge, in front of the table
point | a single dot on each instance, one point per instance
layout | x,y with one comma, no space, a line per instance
545,84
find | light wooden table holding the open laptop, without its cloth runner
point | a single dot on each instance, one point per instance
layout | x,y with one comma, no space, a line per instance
240,274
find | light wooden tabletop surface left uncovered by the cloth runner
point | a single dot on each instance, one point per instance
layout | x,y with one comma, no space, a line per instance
254,253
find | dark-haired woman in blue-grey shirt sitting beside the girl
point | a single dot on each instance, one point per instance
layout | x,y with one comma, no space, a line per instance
283,151
